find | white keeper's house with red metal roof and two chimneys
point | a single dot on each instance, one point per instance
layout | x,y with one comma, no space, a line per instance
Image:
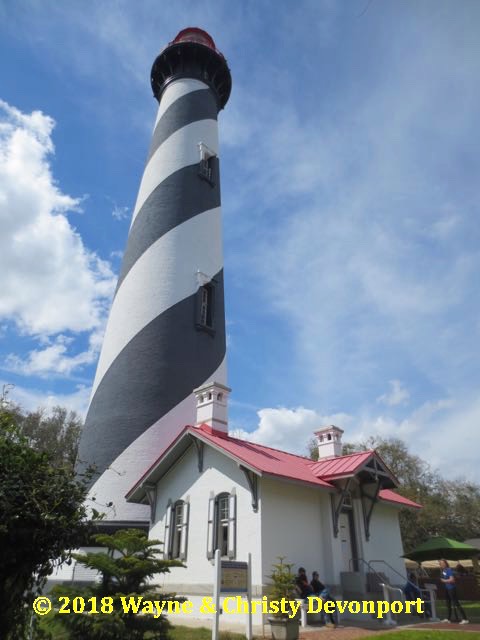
208,490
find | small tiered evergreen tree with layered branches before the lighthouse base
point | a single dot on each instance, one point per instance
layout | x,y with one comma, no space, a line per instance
126,569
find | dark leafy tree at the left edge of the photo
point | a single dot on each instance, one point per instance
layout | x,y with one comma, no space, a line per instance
41,517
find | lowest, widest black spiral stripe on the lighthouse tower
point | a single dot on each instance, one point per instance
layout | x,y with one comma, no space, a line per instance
128,399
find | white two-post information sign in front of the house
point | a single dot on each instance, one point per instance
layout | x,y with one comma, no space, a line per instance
232,578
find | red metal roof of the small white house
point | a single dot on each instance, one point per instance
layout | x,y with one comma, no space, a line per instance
281,464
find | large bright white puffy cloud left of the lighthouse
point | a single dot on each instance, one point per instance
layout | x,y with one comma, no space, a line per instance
51,282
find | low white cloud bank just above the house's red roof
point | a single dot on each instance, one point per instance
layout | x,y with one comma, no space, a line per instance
444,433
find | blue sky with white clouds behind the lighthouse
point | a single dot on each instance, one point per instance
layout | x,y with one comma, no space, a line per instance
350,191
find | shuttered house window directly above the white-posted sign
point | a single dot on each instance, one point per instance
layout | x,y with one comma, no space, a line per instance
222,525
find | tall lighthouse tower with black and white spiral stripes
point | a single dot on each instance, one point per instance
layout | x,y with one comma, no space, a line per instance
166,330
